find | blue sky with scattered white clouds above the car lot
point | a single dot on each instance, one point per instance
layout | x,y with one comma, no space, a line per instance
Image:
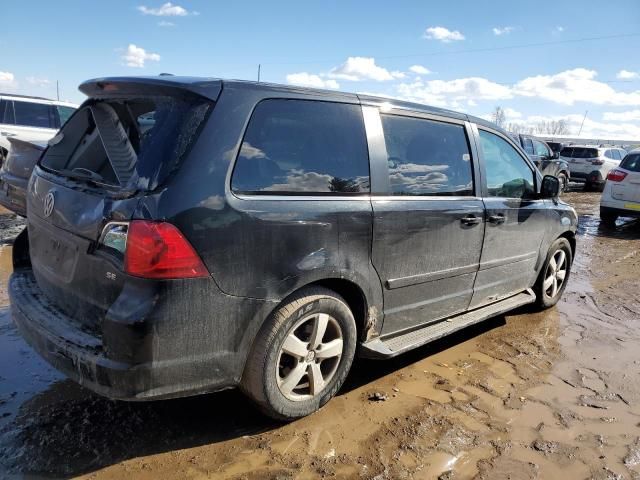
543,60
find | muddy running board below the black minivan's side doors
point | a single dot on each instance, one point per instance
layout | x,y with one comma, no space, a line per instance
392,346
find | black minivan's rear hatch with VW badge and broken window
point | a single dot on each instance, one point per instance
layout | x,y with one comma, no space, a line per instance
121,144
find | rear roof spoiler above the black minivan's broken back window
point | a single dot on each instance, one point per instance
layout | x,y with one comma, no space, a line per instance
209,88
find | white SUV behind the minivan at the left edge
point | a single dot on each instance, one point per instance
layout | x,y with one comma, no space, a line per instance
30,118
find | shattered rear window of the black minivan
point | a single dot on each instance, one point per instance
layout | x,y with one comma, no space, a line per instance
129,142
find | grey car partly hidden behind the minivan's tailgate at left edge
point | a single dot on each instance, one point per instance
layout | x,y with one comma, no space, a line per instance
15,172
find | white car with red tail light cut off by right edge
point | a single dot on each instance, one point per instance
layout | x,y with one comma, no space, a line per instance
621,194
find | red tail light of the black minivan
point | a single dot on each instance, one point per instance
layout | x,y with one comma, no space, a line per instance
158,250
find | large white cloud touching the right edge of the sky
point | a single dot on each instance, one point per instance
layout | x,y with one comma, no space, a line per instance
576,85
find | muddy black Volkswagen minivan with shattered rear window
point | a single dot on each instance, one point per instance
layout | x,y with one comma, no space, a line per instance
189,235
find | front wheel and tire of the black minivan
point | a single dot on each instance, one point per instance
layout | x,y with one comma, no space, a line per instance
554,274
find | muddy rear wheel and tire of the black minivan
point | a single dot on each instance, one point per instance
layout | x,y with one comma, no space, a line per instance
302,355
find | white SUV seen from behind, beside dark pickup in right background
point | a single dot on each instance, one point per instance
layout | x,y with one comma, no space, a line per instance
591,164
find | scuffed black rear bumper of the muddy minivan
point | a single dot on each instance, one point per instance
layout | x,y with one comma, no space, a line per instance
81,356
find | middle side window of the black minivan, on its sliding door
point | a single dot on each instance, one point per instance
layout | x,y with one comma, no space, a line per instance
427,157
